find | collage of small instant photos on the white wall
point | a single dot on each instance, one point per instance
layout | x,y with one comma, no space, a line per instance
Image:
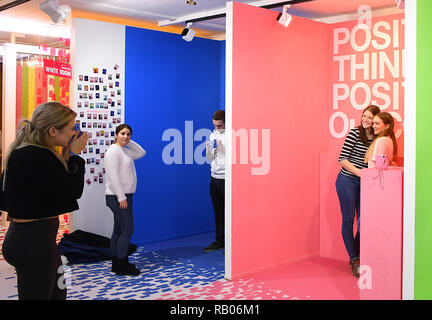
99,107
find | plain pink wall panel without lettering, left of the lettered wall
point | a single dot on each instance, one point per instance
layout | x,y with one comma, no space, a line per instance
280,82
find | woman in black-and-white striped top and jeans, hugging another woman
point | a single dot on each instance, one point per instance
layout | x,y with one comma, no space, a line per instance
348,181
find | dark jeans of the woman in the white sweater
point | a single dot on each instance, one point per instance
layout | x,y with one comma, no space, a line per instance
123,226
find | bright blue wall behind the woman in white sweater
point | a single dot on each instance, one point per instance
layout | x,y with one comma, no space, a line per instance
168,82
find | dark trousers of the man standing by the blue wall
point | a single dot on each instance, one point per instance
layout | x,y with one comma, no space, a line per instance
217,193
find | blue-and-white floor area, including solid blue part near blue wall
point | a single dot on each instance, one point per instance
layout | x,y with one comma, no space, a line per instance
166,273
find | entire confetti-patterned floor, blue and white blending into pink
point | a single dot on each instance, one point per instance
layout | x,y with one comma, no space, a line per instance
180,270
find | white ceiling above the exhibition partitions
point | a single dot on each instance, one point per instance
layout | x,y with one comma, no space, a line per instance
155,11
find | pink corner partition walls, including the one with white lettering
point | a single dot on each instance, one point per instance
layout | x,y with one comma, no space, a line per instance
293,94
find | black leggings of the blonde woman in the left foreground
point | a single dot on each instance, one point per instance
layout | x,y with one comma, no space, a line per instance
32,249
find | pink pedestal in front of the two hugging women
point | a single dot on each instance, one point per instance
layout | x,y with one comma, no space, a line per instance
381,234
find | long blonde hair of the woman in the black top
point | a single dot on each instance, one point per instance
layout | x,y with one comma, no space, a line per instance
35,131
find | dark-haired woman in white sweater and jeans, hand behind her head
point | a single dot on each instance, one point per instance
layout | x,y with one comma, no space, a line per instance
120,186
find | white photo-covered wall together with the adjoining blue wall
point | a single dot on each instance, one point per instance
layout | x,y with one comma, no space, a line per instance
167,89
